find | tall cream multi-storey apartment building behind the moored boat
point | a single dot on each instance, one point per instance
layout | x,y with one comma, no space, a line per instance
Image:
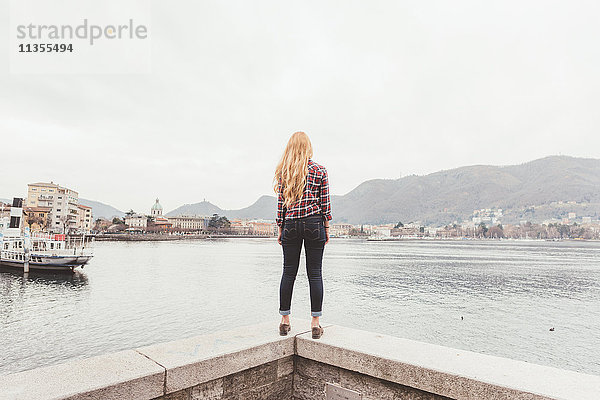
62,201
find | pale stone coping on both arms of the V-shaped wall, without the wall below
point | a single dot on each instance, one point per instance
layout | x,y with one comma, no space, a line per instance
160,369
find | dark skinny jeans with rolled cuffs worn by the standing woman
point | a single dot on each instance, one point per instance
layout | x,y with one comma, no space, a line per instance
311,230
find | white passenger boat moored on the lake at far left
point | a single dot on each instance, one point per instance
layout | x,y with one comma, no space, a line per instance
42,251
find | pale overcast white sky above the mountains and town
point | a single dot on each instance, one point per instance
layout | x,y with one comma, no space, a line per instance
383,88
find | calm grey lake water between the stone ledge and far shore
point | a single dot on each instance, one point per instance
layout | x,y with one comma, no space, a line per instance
509,294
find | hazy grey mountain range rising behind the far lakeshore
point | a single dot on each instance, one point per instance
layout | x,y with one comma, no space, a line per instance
550,187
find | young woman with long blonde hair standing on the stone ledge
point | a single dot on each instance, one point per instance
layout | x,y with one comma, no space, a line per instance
303,215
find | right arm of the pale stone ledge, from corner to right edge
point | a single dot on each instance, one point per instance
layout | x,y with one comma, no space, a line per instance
445,371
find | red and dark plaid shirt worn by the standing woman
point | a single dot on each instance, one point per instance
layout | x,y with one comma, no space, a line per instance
315,199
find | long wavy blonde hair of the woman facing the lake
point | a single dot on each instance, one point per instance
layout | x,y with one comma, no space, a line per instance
293,167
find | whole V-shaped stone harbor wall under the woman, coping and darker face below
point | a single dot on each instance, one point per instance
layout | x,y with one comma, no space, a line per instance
254,362
